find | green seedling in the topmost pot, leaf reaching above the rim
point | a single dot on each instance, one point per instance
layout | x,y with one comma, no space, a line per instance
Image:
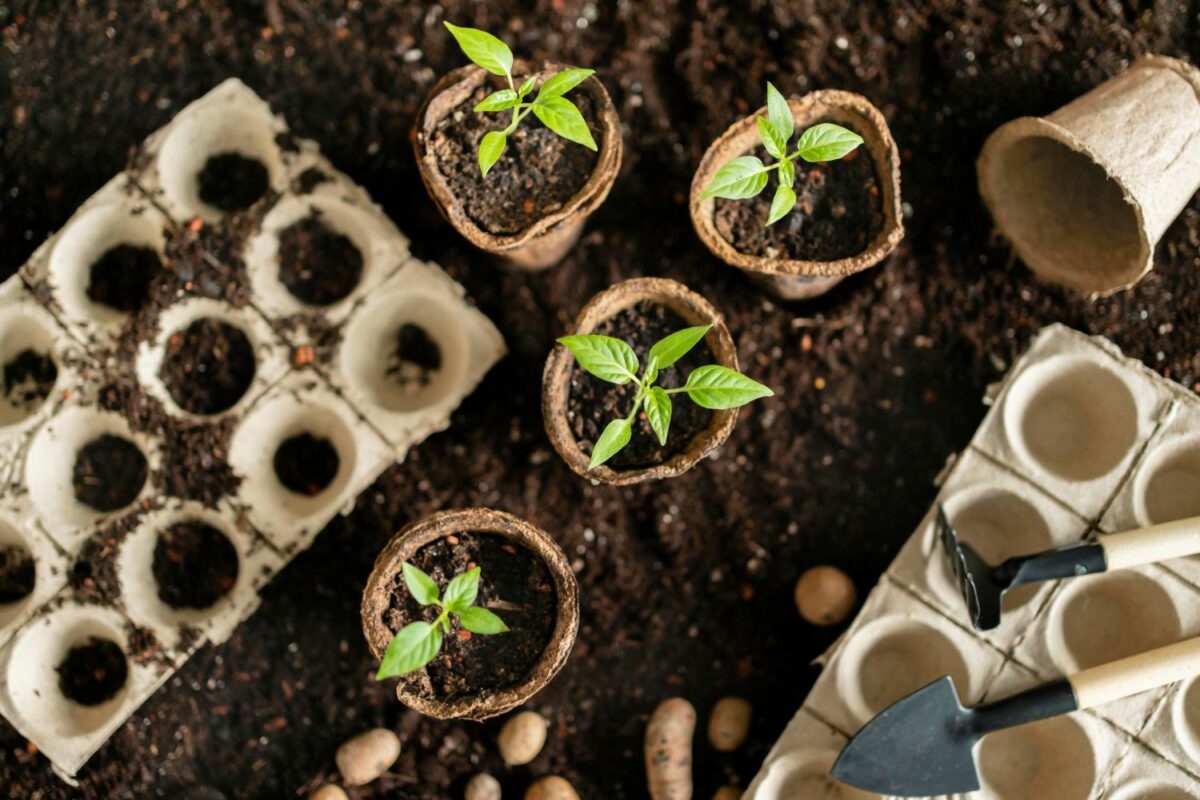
550,106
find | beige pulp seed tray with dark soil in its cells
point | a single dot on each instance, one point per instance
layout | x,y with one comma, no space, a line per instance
217,354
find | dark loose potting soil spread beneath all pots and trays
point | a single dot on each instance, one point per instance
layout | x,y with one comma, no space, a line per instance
687,585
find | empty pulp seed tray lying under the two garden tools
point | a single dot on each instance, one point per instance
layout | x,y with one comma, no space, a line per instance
1079,441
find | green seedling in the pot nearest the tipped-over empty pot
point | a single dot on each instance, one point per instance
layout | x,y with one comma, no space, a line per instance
747,176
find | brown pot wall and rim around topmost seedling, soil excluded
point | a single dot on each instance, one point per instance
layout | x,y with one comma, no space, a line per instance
545,243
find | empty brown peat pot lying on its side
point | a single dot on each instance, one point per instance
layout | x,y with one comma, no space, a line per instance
1085,194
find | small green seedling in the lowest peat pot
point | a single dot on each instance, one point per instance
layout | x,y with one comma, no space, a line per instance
418,643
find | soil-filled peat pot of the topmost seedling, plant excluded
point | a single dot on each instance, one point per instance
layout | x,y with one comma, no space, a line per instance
530,218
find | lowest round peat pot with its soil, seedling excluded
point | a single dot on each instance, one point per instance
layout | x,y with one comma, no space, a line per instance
525,579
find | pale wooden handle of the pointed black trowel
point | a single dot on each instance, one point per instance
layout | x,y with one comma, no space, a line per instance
1139,673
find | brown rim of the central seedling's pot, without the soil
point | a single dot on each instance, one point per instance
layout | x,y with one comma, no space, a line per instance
557,378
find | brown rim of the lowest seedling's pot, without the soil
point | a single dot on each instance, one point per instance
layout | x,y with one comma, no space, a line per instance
447,524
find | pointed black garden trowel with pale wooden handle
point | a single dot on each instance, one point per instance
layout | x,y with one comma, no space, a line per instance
922,745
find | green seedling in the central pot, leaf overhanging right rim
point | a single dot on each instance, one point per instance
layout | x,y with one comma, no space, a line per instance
615,362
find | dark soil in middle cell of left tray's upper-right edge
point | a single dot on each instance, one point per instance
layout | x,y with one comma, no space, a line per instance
319,266
